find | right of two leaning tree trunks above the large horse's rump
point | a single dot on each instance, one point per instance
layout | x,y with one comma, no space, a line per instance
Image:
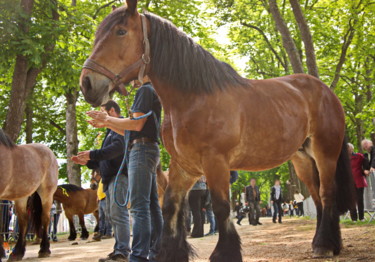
306,38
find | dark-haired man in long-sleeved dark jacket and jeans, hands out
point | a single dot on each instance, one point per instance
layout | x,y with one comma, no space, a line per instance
108,159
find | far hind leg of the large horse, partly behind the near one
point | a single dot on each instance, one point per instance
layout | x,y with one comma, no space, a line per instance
307,171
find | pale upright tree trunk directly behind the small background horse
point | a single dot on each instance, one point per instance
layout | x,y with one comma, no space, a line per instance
74,170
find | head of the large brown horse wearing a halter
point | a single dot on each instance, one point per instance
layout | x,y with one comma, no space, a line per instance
121,52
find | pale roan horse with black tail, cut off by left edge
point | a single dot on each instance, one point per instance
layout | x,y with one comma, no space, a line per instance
29,175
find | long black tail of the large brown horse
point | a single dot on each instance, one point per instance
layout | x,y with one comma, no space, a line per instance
345,190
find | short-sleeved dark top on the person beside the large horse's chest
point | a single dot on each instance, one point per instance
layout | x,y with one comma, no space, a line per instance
147,100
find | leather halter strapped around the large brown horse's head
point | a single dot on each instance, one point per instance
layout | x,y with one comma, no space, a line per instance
141,64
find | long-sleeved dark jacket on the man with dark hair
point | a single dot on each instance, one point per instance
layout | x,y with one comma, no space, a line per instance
108,159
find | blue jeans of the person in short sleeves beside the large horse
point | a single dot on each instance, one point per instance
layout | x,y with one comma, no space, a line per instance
143,197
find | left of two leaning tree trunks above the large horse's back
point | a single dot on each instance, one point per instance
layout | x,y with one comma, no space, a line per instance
286,37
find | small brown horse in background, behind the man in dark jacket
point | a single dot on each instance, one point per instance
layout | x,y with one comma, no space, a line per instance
77,201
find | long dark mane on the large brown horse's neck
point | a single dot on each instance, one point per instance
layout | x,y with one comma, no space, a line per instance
178,60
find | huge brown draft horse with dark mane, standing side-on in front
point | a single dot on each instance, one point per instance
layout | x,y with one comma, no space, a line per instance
216,121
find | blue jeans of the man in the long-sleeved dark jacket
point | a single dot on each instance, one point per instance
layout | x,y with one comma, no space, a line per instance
119,216
